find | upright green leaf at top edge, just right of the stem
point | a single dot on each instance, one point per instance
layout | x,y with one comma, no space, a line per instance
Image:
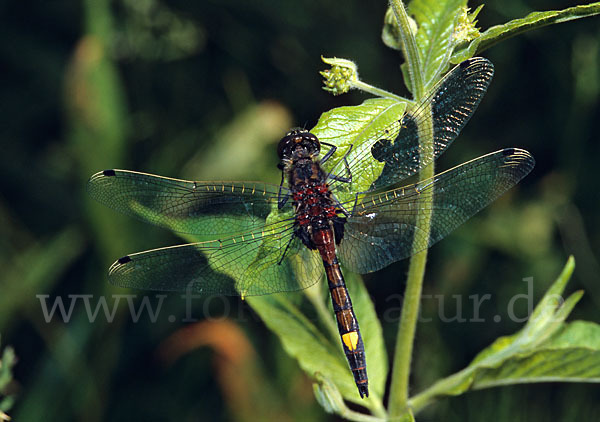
436,21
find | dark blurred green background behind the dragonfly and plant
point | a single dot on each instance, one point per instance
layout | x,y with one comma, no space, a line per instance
204,90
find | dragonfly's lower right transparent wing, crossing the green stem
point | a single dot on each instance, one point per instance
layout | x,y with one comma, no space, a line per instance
383,228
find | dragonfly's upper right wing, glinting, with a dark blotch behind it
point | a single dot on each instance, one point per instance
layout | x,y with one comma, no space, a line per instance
449,106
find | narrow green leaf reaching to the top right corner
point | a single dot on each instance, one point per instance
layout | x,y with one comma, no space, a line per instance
534,20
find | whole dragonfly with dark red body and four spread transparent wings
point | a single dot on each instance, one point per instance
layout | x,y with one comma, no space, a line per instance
260,238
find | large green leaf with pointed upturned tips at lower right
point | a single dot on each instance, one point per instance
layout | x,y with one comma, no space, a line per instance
546,349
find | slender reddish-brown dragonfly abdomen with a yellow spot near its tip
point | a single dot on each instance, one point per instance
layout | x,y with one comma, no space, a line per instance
348,328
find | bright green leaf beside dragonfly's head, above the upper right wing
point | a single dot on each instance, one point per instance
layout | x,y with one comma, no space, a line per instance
354,126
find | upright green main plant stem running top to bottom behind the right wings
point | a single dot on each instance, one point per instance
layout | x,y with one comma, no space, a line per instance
398,404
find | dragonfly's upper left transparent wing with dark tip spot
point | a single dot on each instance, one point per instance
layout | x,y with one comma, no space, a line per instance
206,208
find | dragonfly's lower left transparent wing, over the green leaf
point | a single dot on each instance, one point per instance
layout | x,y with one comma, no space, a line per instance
245,265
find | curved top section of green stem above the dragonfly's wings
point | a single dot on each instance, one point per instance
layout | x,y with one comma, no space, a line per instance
409,48
